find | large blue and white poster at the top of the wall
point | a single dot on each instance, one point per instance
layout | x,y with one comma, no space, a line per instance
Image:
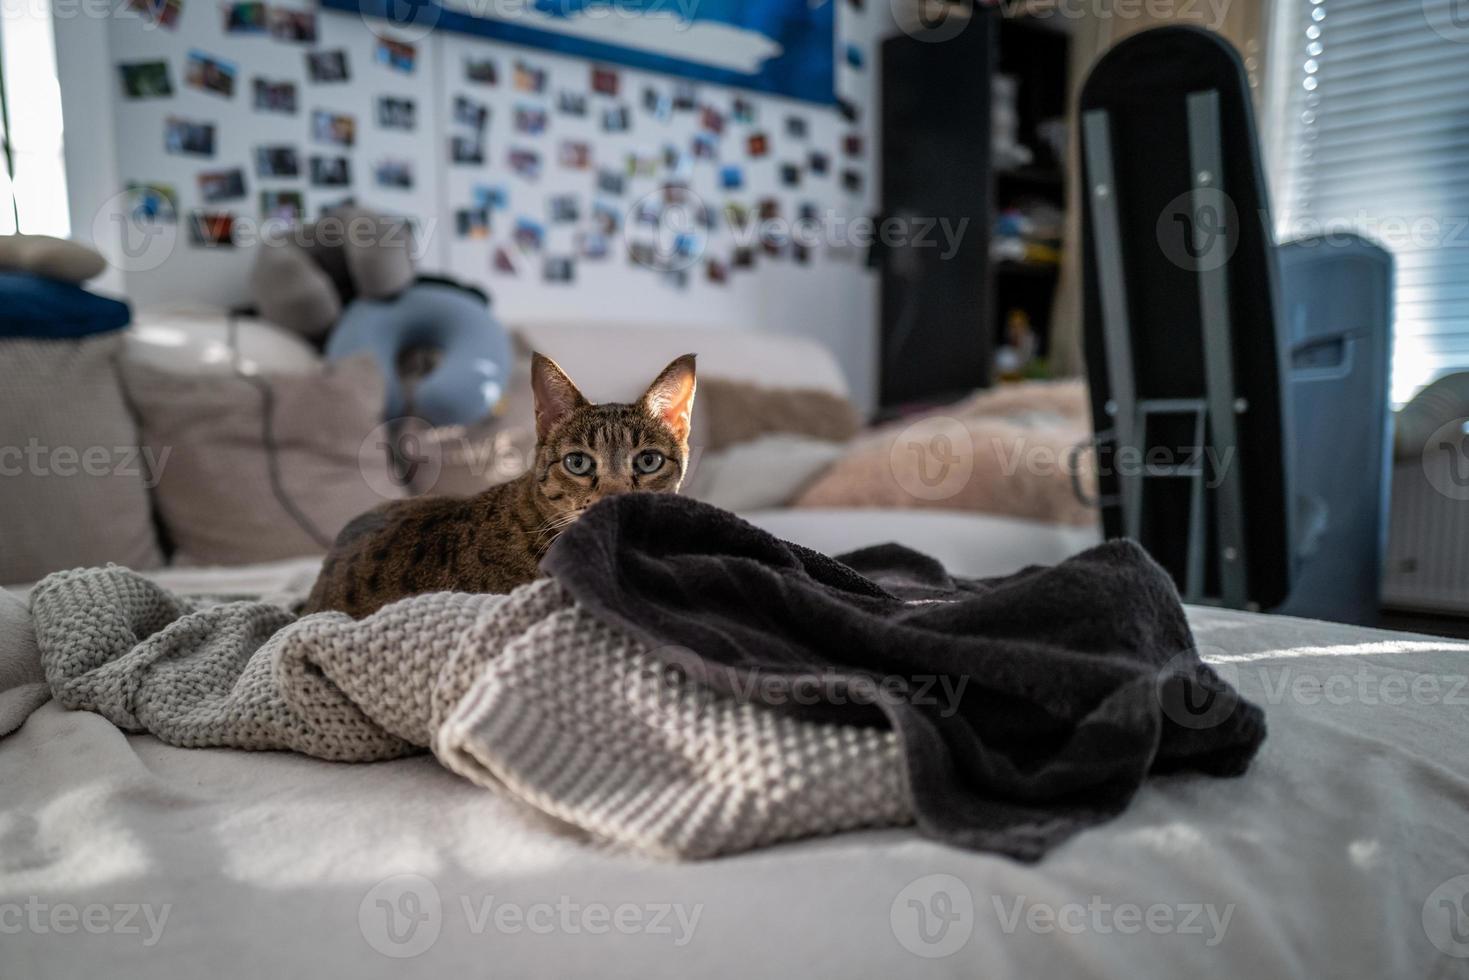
785,48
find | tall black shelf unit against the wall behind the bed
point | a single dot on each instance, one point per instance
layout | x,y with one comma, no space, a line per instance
944,318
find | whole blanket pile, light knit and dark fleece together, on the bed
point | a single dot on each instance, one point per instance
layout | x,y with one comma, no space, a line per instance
690,687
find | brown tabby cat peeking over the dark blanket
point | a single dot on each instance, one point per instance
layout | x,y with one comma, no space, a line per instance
494,541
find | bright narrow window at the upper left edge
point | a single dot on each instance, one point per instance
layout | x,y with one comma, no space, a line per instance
33,171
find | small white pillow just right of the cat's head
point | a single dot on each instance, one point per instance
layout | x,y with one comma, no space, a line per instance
762,474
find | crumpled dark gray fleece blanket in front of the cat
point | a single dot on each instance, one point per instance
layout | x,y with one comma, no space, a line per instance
1029,707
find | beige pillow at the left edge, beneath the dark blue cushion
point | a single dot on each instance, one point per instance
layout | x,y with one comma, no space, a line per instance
73,481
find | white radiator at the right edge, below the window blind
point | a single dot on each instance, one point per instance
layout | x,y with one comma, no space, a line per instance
1429,536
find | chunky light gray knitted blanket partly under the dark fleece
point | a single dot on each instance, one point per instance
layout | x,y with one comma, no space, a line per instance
525,694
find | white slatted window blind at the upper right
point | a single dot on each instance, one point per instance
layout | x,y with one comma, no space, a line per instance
1371,134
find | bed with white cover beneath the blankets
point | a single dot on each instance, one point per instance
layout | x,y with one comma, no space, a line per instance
1343,851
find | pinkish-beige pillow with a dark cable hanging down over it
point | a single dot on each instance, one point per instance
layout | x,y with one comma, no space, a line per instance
218,499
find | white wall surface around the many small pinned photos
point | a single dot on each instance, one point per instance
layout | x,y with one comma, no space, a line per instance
114,140
